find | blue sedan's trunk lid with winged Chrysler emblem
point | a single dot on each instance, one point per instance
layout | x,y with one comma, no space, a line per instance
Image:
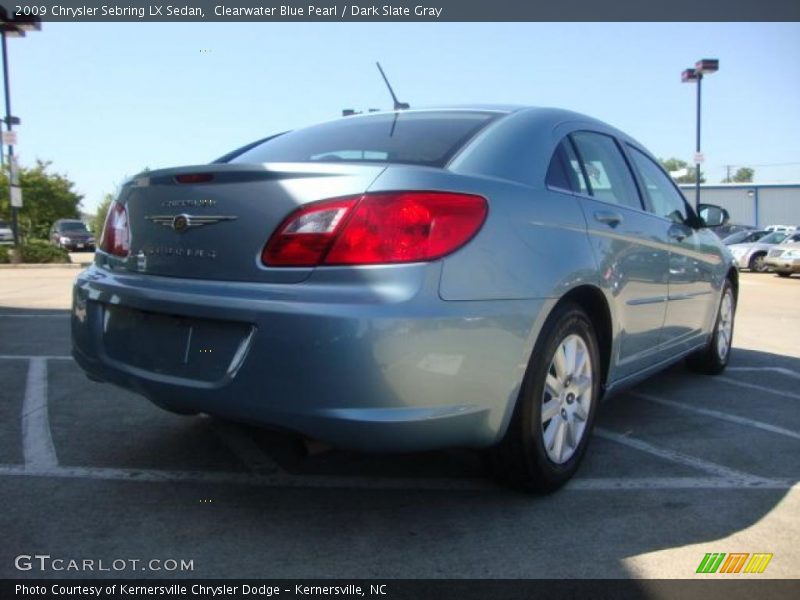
216,226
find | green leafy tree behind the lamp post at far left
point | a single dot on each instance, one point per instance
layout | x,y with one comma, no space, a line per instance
46,197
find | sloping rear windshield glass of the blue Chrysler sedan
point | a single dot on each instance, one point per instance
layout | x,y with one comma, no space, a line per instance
423,138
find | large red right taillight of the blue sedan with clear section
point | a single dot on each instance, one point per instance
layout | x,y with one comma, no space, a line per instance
379,228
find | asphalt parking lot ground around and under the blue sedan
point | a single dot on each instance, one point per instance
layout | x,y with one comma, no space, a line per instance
681,466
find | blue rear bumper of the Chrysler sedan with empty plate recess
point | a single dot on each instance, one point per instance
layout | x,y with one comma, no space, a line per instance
378,363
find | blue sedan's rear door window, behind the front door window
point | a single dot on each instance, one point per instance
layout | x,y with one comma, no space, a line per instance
609,177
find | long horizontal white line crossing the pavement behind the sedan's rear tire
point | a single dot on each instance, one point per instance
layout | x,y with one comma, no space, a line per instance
284,480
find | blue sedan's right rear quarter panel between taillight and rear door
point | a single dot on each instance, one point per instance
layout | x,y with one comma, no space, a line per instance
533,243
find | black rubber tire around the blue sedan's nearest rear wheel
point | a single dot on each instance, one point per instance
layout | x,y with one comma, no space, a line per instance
521,460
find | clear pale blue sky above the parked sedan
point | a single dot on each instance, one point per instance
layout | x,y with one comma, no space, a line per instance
101,101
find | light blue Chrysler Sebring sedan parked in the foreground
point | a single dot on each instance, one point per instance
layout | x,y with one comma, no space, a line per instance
474,277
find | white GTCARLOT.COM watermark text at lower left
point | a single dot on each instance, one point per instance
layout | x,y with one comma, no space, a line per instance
47,563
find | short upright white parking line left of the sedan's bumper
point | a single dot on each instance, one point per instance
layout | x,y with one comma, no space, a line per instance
37,442
